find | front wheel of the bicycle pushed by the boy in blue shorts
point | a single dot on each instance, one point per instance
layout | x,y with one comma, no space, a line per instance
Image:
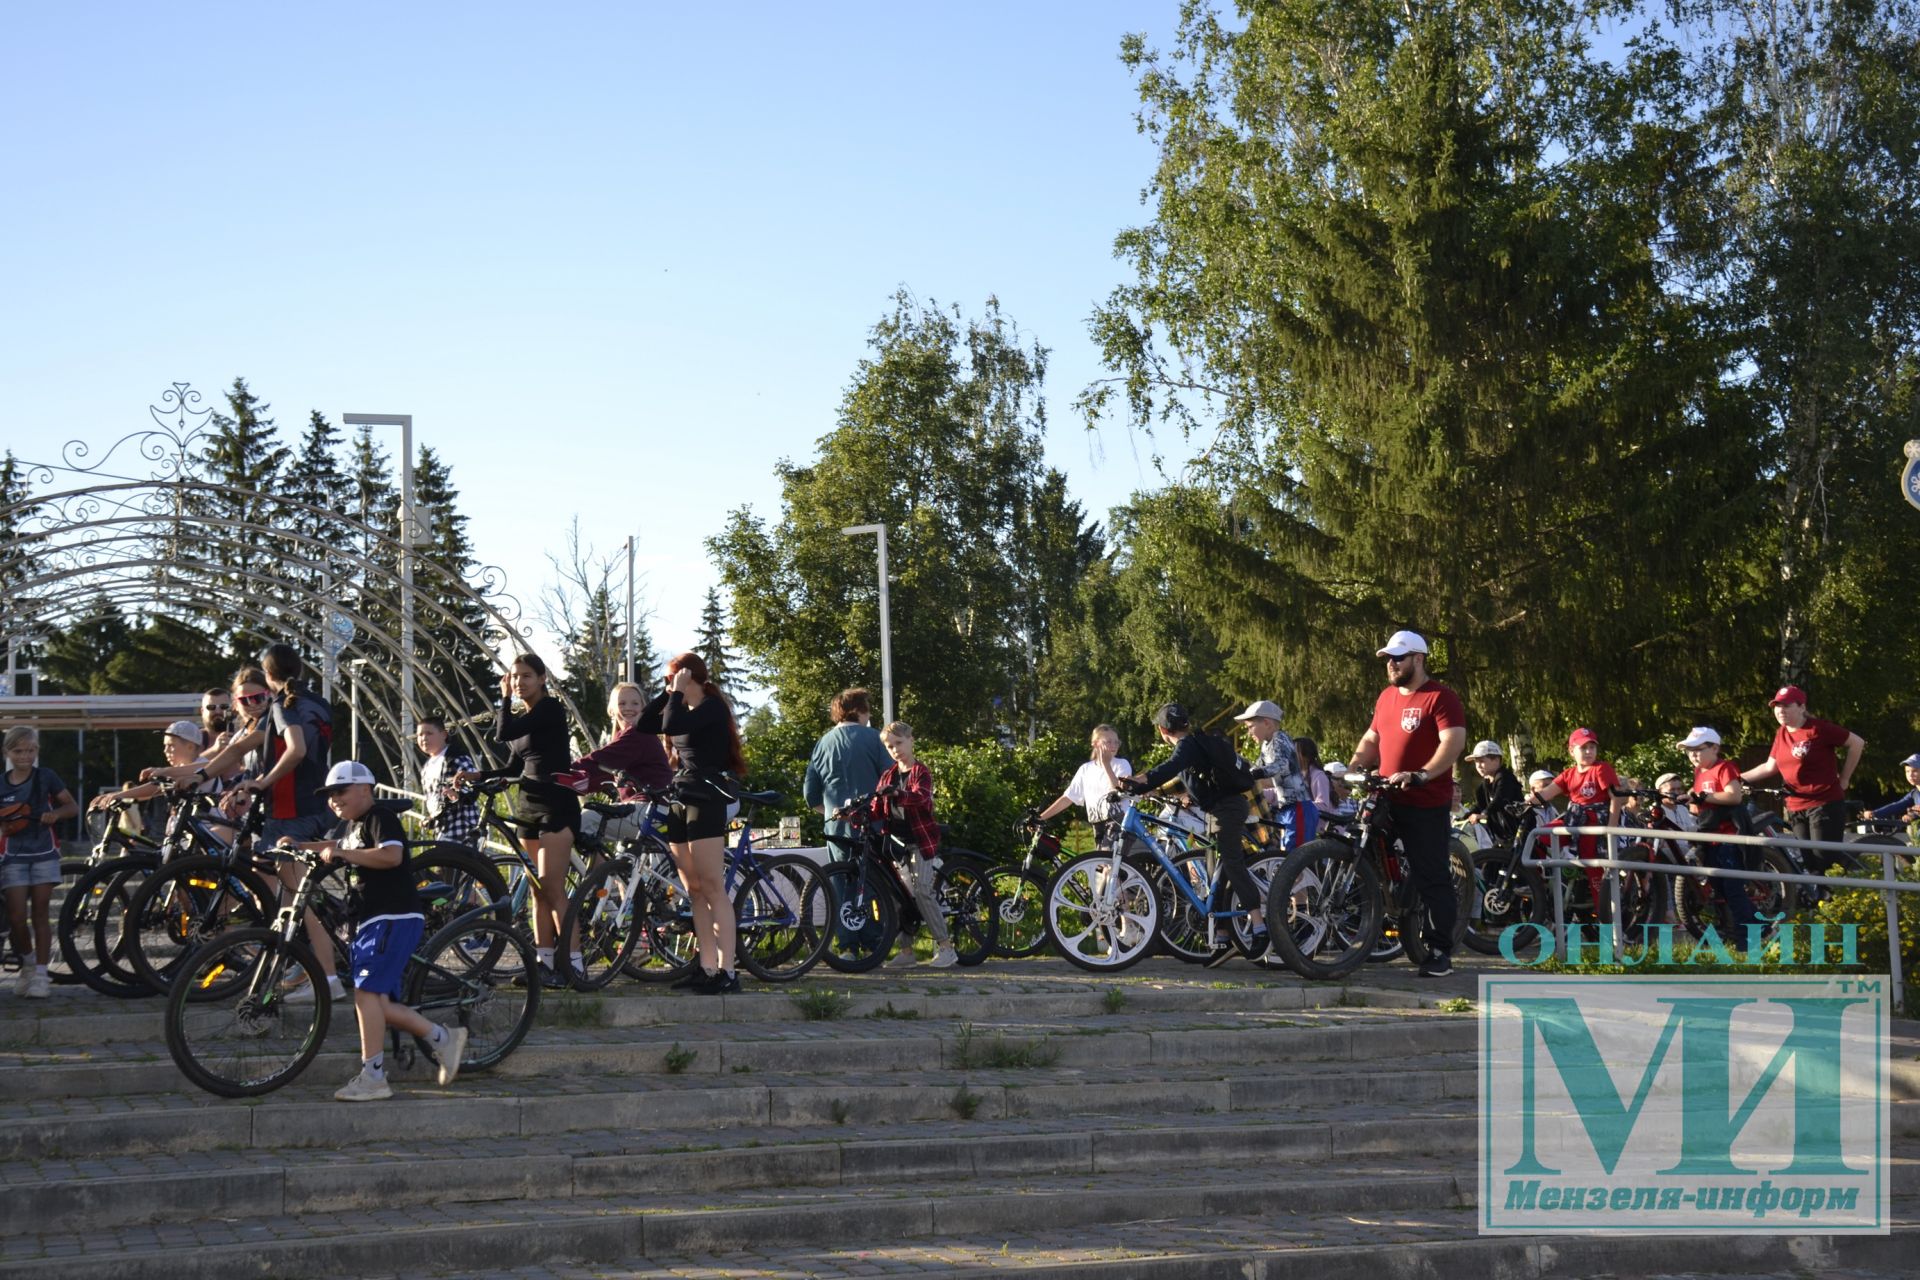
251,1041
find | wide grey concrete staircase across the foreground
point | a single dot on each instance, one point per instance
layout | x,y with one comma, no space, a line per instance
1020,1120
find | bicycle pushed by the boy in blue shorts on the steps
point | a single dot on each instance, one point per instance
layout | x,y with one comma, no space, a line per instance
233,1030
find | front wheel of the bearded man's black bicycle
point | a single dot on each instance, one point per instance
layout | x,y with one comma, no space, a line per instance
1326,911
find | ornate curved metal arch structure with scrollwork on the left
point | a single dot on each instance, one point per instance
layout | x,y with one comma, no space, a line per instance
153,546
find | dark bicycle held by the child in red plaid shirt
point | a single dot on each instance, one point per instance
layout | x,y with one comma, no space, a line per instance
871,901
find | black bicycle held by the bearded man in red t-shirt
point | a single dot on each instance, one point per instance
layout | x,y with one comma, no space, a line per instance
1333,897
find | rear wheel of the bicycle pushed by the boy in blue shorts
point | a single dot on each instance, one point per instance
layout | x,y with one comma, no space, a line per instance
466,976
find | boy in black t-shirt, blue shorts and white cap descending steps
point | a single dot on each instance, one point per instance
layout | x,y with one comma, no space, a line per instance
387,930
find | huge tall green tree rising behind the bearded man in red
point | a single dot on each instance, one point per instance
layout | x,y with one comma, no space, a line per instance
1406,279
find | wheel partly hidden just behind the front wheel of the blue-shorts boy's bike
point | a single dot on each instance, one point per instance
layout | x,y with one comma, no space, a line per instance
183,907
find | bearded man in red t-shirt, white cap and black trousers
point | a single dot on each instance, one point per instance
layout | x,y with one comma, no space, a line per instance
1418,732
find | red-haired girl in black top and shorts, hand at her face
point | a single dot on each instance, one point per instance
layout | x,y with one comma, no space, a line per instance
708,761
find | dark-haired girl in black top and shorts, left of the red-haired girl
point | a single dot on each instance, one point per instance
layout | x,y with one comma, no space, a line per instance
540,744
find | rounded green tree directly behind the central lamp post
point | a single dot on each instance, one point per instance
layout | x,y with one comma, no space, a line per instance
940,440
